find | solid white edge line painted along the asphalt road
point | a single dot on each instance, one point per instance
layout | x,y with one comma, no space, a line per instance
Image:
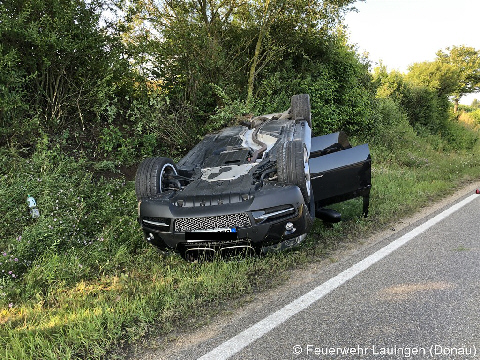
256,331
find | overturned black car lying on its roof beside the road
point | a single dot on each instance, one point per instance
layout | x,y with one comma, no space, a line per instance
250,186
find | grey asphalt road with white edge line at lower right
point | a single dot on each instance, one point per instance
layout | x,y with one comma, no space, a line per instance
412,295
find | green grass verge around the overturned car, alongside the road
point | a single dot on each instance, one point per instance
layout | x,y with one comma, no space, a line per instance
86,283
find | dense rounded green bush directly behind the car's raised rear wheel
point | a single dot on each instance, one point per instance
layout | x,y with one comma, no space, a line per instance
337,80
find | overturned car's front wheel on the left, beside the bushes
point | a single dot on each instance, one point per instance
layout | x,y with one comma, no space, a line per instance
152,176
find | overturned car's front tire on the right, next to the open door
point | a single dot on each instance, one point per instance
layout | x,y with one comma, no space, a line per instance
292,167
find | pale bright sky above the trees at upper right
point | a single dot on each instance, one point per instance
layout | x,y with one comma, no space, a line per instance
402,32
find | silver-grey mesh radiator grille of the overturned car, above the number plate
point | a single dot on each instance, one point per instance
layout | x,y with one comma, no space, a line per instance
212,222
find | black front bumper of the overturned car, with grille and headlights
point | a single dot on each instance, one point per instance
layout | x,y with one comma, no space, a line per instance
269,216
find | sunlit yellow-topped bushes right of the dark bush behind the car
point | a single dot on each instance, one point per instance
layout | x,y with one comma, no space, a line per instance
420,97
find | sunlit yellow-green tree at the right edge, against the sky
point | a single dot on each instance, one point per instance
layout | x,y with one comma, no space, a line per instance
466,62
